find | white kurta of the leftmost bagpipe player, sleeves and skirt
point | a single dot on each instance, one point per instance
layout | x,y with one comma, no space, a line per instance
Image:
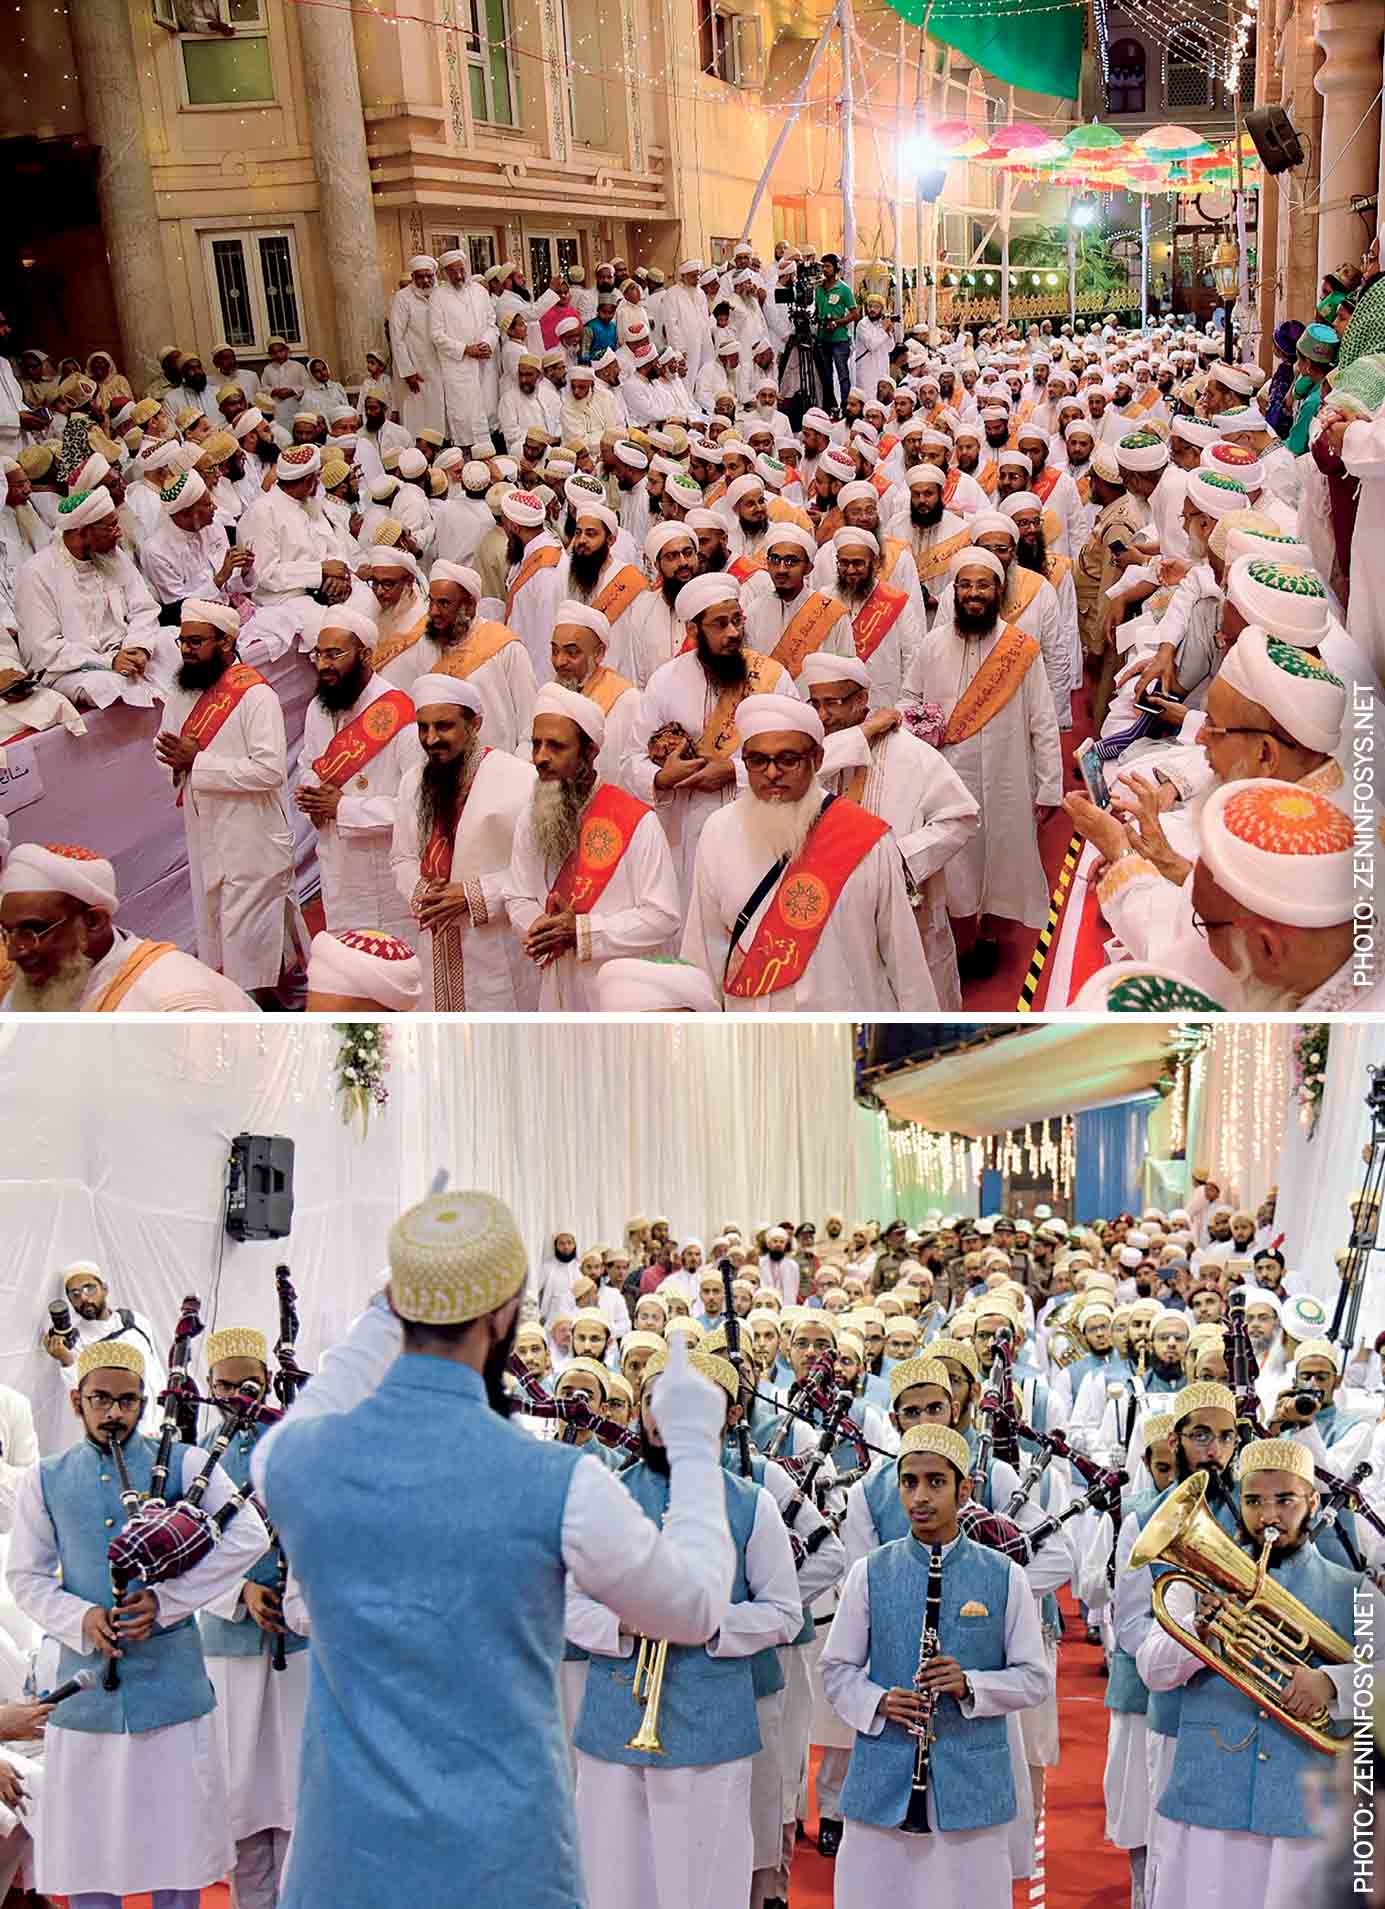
176,1773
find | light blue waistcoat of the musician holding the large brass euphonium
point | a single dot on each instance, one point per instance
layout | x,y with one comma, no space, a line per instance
1235,1765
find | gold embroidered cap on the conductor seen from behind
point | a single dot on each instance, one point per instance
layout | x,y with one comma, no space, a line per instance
455,1259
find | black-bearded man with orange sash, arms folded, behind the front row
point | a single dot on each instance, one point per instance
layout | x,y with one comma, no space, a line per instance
688,715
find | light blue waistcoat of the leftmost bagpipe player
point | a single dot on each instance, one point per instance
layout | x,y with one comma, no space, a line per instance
163,1681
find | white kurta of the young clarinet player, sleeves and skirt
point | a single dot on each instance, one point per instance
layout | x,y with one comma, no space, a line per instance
945,1866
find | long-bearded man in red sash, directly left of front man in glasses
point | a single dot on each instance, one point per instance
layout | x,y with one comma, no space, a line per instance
592,877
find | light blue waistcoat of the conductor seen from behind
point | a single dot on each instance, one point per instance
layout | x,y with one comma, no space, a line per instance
428,1538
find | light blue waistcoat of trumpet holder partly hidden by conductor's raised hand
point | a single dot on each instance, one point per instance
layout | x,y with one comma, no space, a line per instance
709,1708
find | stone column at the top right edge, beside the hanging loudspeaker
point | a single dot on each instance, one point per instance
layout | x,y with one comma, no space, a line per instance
1350,33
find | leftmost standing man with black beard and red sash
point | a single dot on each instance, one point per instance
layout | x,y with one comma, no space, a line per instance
226,751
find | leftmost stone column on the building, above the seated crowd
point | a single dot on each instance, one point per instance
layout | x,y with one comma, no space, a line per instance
115,123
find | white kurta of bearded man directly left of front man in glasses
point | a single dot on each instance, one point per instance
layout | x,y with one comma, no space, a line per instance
638,912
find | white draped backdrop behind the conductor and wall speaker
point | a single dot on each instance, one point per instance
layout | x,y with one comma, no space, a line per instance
114,1146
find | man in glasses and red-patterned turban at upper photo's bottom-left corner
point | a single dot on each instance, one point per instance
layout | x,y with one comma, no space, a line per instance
56,921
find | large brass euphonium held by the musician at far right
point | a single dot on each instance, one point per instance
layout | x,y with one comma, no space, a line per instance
1262,1635
